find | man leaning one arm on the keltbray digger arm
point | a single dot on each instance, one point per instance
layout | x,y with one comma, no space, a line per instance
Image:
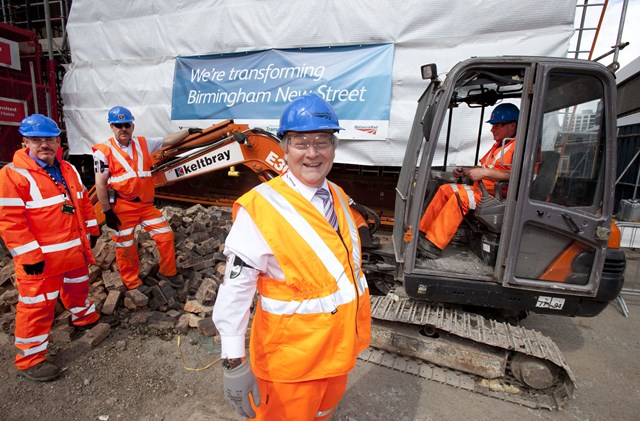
125,189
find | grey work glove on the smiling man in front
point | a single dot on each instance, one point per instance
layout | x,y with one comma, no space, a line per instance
238,382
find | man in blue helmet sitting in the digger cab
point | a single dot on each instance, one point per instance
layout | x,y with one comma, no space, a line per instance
452,201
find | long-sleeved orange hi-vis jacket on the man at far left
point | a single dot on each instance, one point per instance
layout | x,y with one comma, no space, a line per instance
32,222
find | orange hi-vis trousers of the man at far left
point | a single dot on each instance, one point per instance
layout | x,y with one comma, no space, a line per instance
37,296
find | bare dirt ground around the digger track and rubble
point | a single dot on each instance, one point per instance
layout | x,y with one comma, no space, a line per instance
137,375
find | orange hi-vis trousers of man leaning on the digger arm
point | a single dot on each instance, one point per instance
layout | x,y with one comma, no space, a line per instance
131,214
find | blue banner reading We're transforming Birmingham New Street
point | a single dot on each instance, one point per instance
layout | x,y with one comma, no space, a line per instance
254,88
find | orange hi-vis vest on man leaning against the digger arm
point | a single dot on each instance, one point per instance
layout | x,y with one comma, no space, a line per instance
129,176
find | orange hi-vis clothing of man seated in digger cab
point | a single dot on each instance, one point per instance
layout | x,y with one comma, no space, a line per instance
444,213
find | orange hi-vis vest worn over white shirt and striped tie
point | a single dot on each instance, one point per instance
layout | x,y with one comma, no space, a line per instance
312,324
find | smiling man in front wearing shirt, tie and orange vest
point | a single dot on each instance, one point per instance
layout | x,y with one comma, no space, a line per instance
295,241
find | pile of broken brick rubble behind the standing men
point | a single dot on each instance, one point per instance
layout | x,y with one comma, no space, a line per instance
156,305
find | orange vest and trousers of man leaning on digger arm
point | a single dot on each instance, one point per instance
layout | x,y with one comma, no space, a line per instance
130,177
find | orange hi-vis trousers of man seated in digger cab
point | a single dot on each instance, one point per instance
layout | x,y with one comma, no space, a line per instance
444,214
